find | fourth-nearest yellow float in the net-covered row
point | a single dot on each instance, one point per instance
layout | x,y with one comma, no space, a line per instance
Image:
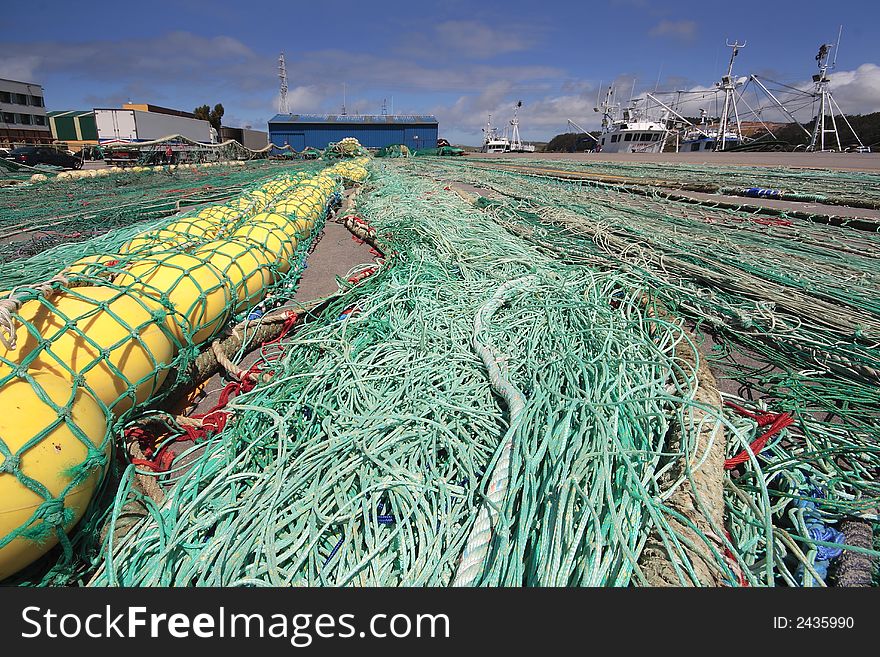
247,267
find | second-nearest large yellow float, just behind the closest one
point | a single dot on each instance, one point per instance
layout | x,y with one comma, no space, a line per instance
113,339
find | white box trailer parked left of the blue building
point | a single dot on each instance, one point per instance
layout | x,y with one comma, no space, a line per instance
116,125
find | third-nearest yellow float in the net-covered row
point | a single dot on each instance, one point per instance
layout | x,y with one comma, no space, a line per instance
198,293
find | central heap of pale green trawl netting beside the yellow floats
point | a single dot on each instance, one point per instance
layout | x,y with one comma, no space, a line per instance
469,363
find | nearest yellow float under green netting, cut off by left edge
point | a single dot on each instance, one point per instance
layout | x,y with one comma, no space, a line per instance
53,462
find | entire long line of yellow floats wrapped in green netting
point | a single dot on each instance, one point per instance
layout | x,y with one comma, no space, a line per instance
94,350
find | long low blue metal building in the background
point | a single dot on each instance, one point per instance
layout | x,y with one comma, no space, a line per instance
303,130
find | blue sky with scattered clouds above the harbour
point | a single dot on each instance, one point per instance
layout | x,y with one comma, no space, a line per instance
457,60
